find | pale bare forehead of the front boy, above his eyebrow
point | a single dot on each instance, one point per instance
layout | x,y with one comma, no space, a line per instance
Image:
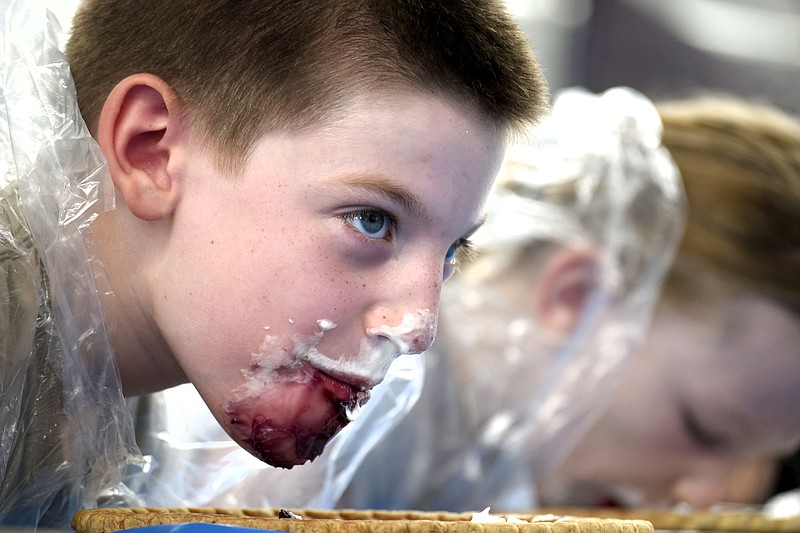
405,135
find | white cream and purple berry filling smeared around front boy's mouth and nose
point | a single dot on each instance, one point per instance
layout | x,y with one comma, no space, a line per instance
294,398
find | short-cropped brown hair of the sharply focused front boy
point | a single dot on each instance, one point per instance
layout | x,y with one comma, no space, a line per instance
241,67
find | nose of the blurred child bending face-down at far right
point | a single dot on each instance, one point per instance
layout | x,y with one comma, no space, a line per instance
706,485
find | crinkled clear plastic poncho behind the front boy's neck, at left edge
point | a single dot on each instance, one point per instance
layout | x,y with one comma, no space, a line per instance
66,433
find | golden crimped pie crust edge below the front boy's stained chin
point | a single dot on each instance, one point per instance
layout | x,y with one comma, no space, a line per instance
342,521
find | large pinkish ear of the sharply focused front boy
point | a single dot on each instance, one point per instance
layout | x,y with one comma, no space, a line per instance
137,131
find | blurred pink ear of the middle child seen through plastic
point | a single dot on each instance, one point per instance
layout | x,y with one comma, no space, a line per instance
568,280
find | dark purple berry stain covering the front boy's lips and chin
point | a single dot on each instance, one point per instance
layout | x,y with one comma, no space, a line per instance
289,424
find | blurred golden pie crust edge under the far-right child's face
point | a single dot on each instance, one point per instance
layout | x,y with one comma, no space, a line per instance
742,519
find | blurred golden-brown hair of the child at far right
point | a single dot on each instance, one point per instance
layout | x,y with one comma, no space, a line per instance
740,164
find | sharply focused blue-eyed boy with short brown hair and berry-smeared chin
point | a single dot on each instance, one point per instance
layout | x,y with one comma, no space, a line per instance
294,181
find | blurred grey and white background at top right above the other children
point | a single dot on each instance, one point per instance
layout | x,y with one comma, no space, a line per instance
669,48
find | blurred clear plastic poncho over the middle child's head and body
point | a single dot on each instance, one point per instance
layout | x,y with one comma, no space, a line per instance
503,401
